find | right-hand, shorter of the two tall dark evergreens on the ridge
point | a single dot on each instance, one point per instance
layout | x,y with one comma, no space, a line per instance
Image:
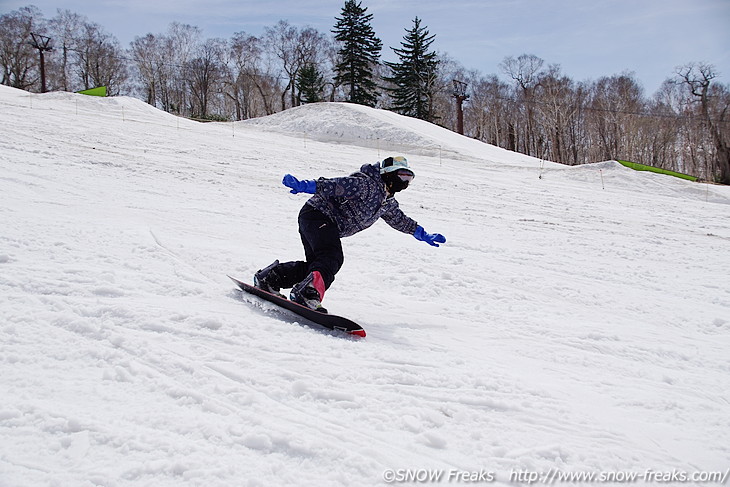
414,77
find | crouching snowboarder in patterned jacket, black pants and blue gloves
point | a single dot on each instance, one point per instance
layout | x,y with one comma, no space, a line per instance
339,208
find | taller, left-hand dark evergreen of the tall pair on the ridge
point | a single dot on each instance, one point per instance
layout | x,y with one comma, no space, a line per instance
359,53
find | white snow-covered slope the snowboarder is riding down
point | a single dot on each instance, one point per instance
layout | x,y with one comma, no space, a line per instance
577,322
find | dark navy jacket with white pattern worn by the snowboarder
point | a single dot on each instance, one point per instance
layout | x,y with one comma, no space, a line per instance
355,202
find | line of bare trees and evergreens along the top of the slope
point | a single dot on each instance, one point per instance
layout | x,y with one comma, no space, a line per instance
530,107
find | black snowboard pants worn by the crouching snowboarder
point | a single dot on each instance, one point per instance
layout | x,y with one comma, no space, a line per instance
322,249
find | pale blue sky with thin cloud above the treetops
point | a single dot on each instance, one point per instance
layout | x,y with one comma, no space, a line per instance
587,38
